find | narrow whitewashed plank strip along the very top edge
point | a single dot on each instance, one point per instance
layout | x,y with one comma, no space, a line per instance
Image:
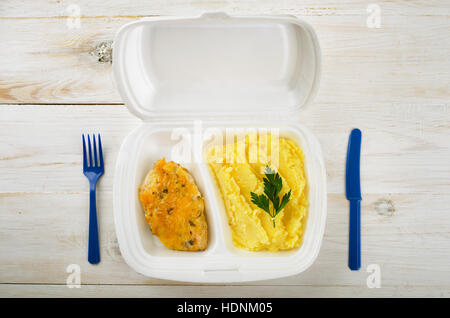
49,8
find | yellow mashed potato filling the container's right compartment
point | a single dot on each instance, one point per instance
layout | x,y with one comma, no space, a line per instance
239,169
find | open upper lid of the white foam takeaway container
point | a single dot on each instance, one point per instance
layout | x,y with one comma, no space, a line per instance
216,65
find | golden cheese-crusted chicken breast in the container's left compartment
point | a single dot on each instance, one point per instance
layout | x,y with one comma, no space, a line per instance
174,207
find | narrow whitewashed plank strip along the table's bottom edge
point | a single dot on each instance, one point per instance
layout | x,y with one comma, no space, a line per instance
215,291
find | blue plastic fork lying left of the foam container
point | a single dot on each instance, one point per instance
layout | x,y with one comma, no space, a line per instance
93,169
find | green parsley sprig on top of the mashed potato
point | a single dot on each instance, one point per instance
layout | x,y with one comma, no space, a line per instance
272,188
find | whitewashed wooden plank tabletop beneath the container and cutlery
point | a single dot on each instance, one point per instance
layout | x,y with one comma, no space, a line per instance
392,82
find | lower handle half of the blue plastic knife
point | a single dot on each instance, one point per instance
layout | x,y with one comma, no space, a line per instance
354,253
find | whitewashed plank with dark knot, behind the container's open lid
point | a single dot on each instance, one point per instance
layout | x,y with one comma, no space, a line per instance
405,61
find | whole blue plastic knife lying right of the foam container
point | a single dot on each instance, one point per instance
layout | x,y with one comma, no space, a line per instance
353,193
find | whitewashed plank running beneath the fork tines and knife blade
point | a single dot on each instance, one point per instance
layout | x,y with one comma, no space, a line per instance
405,148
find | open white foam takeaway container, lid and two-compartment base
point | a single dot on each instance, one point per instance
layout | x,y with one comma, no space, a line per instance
221,72
